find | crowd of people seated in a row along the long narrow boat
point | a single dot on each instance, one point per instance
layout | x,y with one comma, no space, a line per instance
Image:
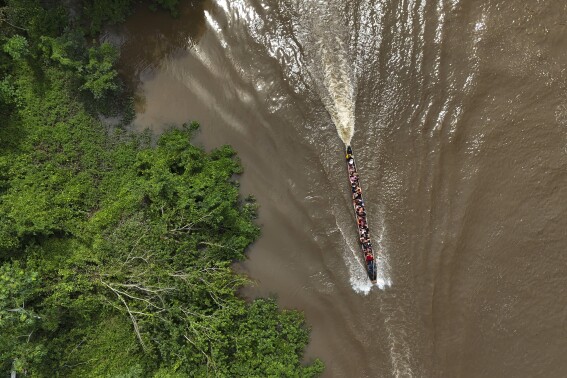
360,213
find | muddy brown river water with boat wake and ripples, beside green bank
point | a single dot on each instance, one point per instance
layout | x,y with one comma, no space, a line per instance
458,111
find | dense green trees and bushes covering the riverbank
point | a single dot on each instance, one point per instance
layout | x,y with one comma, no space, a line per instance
115,253
